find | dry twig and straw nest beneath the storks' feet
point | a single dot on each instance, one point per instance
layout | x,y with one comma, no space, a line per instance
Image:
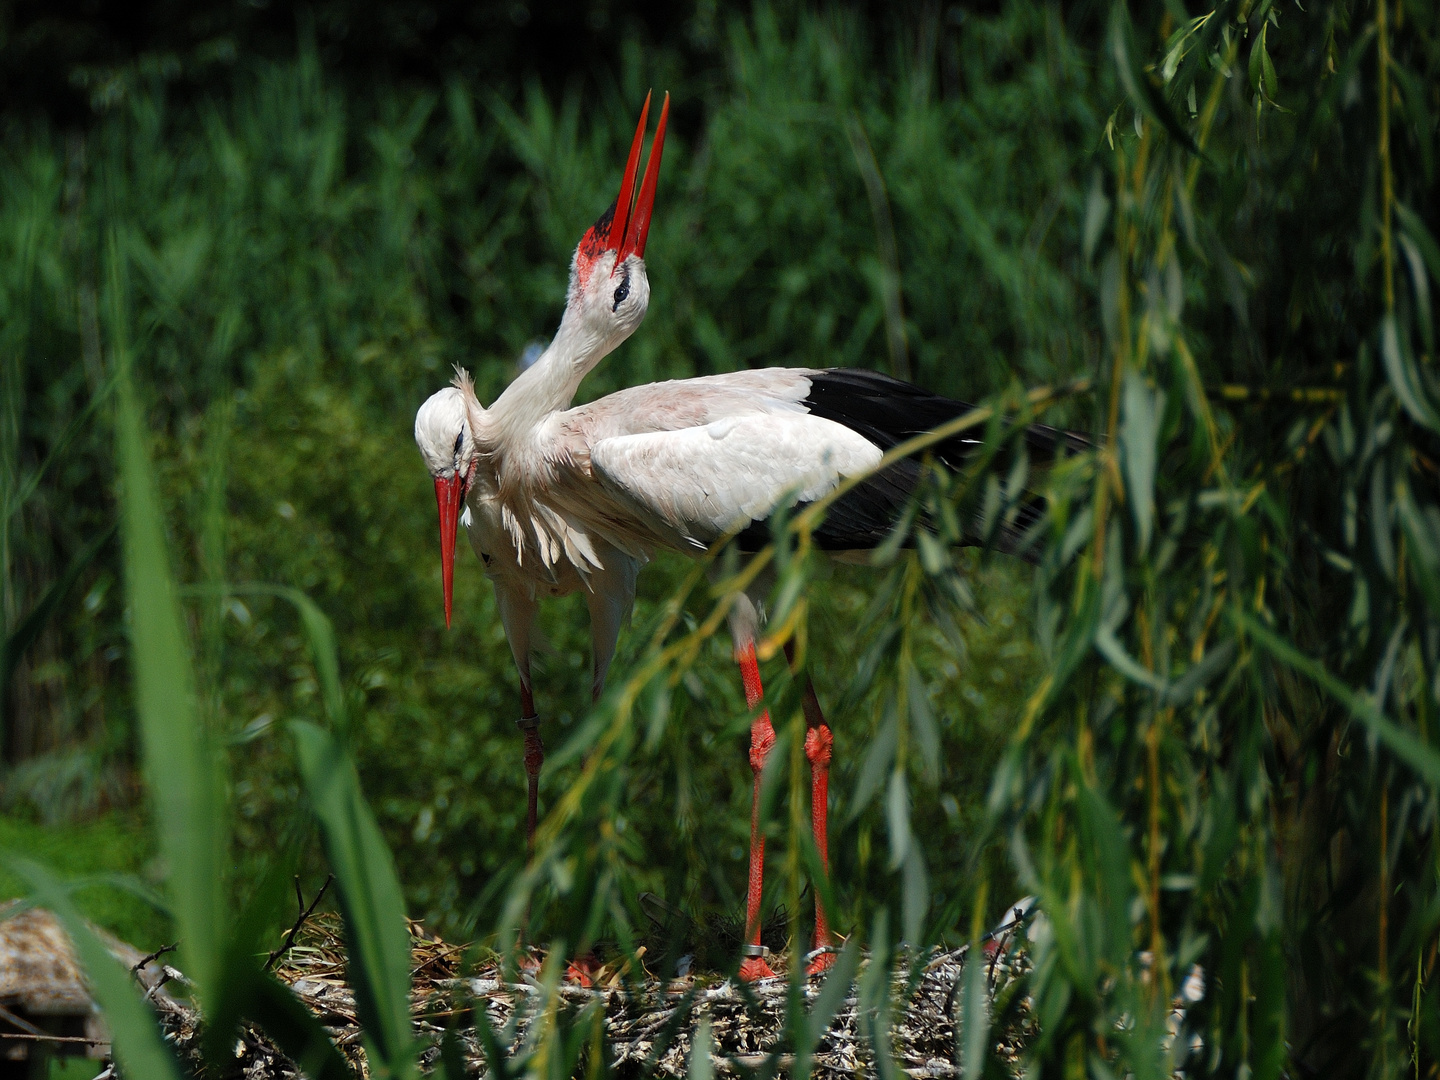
650,1025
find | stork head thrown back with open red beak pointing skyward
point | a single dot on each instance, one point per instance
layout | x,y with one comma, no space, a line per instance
608,286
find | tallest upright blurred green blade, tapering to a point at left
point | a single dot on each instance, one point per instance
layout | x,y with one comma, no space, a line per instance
179,765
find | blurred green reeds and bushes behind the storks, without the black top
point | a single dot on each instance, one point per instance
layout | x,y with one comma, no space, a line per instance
305,277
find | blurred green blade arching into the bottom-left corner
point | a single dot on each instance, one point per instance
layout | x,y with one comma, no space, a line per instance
139,1046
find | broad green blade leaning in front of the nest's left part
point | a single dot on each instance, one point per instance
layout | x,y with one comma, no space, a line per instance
371,898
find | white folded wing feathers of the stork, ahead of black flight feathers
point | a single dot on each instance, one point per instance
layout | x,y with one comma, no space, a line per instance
698,485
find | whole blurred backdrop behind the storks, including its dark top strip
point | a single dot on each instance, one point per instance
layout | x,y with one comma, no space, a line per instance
325,210
